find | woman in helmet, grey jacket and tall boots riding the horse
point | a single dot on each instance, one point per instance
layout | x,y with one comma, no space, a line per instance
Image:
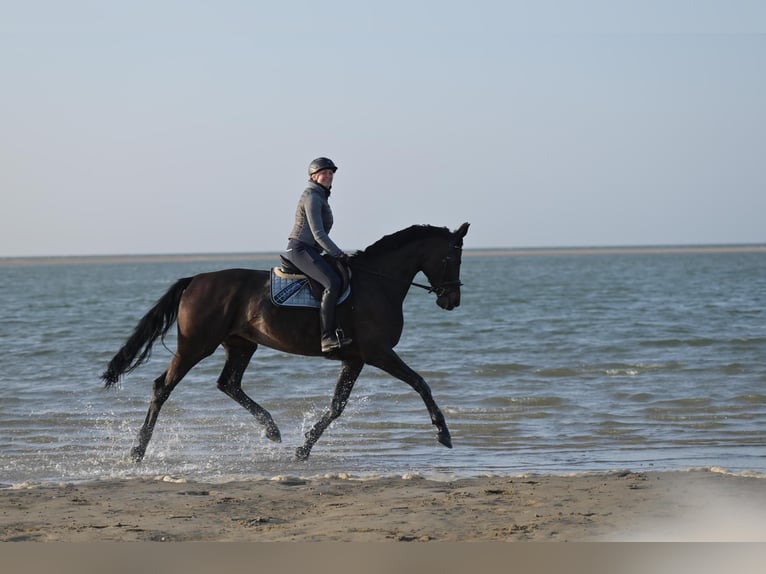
309,237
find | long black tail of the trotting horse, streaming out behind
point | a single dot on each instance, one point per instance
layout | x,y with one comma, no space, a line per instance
154,324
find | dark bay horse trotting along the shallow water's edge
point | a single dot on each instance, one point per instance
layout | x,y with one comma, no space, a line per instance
233,308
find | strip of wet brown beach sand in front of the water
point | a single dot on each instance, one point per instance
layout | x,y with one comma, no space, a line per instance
622,506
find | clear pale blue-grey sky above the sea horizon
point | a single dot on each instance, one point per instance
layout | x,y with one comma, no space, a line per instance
186,127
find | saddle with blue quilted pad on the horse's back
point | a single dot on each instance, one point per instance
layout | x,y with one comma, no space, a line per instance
292,288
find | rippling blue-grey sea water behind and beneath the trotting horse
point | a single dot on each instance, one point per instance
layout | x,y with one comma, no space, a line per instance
555,363
